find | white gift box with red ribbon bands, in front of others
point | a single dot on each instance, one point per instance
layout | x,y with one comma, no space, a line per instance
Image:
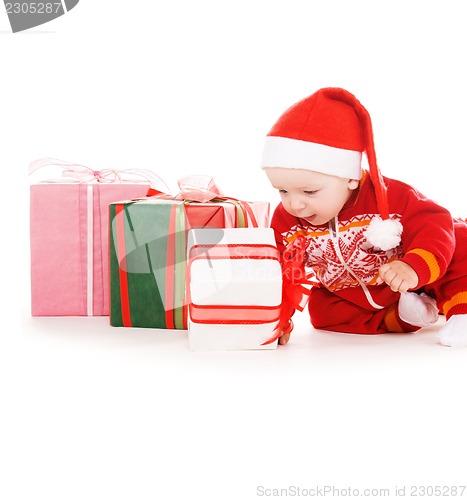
234,288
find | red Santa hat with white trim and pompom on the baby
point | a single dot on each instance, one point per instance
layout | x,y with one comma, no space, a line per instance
327,132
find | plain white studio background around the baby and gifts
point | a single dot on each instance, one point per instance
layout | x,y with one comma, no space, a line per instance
193,87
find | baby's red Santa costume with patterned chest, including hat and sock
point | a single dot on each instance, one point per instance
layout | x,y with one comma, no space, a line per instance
382,221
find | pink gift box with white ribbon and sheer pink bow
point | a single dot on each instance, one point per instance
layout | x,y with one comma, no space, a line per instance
69,227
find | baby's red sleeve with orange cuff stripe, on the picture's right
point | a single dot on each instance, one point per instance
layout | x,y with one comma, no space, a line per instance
428,239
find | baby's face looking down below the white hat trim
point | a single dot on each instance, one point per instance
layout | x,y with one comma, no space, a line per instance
312,196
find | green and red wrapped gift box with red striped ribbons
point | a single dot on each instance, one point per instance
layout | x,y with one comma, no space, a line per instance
148,253
